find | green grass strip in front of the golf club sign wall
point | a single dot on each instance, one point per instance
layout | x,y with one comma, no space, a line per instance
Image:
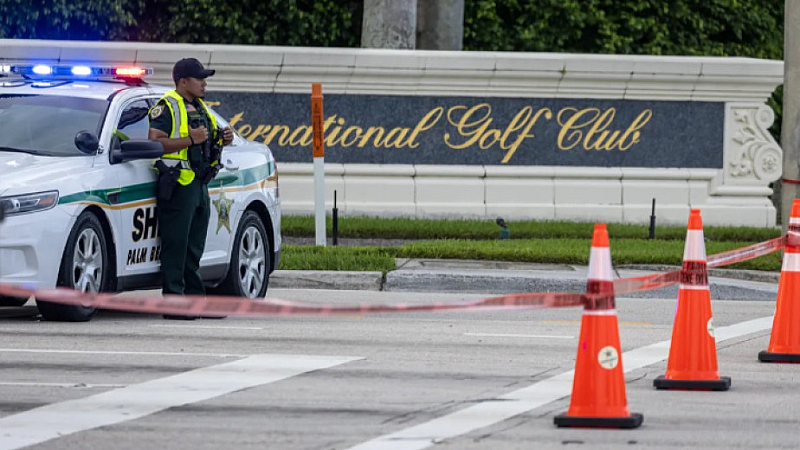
531,241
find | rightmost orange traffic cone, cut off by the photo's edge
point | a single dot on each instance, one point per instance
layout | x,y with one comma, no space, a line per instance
784,343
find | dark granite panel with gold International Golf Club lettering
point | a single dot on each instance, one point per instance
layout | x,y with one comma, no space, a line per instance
383,129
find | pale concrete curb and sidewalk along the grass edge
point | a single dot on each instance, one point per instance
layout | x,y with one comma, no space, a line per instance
497,277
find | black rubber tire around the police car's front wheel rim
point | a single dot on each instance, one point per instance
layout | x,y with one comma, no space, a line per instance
76,313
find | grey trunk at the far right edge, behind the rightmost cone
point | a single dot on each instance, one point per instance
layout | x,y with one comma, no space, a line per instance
790,131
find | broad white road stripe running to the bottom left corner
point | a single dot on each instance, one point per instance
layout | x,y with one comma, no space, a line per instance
138,400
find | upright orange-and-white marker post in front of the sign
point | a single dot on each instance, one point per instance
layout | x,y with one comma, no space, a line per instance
318,142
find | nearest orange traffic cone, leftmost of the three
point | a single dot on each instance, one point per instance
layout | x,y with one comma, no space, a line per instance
598,386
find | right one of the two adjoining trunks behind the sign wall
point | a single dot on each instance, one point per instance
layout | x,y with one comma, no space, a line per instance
440,24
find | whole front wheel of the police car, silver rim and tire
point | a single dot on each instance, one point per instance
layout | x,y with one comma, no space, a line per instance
85,266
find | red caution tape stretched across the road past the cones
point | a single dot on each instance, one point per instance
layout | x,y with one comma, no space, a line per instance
237,306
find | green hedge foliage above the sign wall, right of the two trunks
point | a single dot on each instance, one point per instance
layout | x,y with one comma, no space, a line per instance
657,27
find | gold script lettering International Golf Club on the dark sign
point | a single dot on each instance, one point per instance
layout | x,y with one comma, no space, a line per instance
468,127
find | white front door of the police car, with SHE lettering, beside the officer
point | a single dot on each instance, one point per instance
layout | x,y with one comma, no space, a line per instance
138,249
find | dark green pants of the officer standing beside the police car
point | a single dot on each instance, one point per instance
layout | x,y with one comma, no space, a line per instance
183,222
